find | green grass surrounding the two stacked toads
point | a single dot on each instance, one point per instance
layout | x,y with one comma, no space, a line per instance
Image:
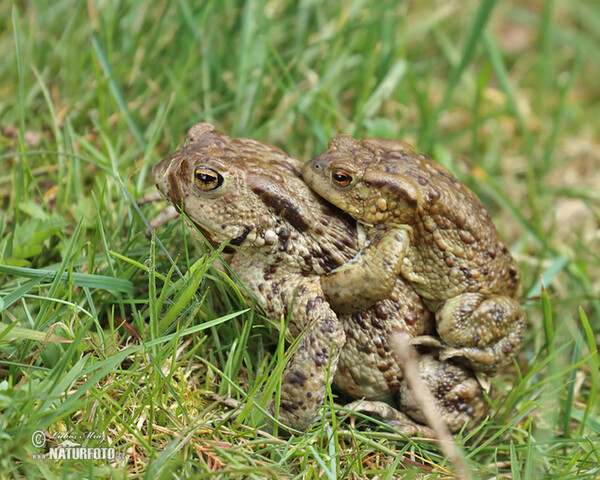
101,332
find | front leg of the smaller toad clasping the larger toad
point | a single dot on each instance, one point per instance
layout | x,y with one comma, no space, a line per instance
370,276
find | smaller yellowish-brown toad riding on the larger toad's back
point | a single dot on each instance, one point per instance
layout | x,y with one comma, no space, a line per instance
436,234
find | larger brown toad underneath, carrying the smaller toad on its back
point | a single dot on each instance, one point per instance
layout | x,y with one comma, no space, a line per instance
282,240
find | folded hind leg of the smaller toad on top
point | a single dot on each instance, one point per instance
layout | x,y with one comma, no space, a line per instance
484,331
